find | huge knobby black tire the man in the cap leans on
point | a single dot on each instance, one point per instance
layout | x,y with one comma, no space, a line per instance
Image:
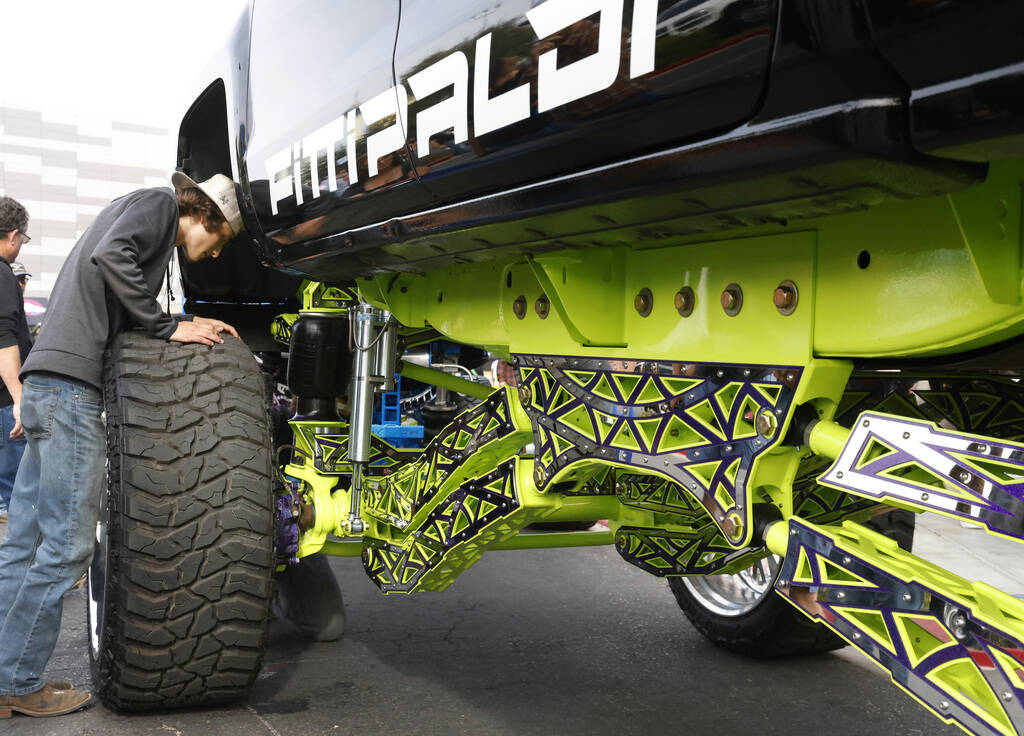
181,591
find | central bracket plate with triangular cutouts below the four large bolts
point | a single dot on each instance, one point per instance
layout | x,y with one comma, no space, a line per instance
694,423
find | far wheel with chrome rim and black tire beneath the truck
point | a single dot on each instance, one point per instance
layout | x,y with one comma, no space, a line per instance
743,614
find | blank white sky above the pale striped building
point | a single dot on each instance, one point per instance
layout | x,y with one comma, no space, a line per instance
131,61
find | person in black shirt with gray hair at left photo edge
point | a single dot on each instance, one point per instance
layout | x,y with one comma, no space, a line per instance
15,345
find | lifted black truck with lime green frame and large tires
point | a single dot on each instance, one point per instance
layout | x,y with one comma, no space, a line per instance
756,266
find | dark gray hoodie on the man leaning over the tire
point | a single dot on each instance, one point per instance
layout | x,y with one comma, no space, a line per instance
110,283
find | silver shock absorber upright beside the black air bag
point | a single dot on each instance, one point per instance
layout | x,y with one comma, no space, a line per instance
374,343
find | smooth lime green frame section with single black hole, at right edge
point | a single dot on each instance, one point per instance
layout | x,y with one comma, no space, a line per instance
945,273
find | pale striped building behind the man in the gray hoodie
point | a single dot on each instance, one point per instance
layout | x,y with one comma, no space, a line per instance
65,169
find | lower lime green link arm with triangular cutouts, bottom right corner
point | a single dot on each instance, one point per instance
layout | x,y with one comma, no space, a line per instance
956,646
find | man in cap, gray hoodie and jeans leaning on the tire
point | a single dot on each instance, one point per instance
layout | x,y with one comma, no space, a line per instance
109,284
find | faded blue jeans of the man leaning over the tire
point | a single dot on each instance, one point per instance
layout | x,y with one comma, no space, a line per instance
52,530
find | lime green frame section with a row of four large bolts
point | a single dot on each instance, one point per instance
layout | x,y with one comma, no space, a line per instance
593,294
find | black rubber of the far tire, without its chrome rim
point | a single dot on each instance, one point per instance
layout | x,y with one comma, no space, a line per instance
775,628
